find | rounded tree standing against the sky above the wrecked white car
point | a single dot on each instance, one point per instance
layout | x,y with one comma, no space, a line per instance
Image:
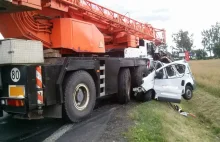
183,40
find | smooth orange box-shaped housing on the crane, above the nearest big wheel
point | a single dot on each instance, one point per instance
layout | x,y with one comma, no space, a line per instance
77,35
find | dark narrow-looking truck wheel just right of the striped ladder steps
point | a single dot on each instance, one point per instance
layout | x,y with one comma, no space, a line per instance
124,86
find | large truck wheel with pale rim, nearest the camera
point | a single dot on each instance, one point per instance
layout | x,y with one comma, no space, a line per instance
79,96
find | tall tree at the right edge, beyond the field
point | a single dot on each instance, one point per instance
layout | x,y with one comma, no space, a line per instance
211,37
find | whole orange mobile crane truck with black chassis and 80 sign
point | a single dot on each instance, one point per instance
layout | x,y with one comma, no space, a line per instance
58,56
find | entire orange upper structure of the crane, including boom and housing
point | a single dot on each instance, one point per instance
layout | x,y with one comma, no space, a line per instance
74,25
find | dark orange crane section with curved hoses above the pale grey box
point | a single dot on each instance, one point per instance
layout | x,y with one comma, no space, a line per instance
22,25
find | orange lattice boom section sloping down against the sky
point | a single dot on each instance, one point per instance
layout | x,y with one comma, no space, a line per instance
123,22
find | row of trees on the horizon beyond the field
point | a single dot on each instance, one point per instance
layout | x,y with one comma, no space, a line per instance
210,42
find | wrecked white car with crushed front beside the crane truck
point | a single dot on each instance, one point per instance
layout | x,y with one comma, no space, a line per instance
167,82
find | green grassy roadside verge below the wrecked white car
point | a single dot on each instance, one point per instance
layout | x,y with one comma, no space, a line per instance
158,122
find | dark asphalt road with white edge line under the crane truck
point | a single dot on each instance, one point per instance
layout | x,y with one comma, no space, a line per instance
50,130
